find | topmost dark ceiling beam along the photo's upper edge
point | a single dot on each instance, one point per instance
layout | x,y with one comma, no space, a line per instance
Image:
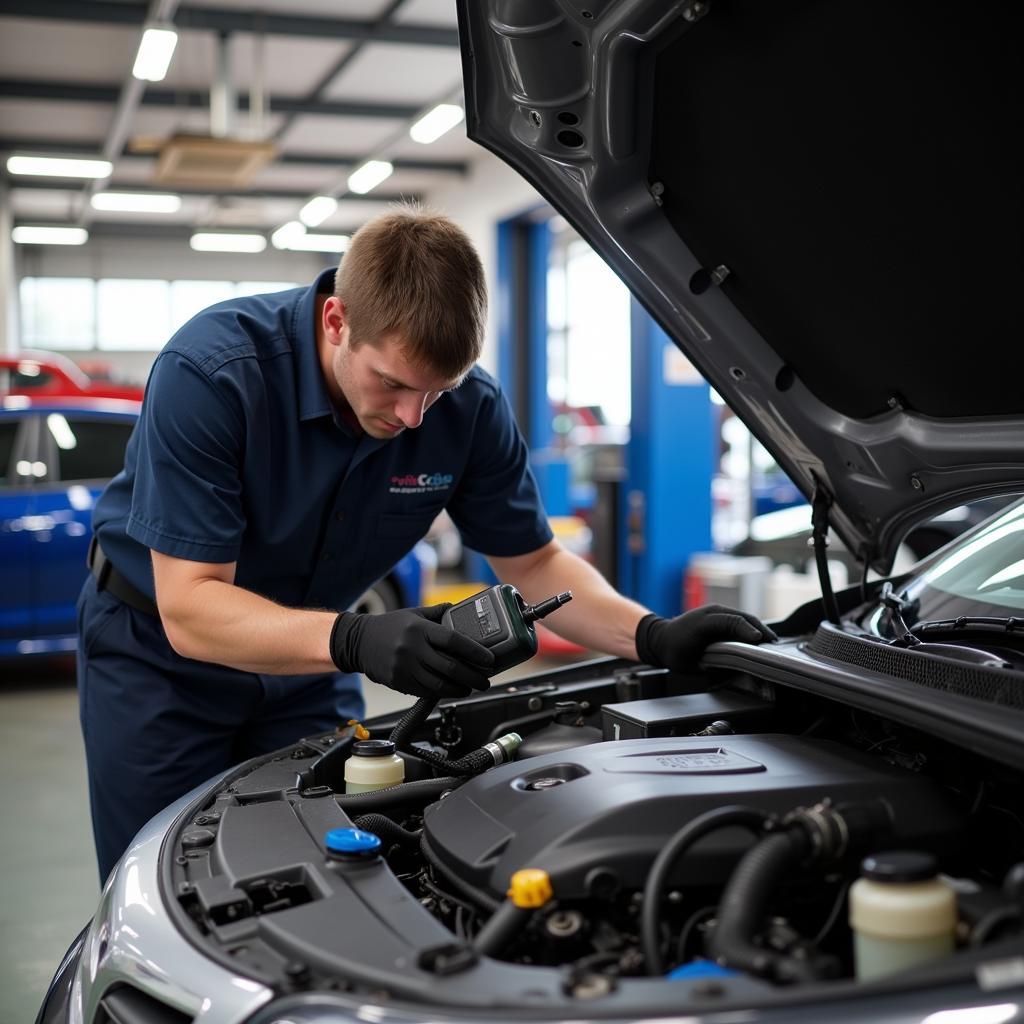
235,20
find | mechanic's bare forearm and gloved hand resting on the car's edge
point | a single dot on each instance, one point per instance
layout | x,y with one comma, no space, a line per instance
600,618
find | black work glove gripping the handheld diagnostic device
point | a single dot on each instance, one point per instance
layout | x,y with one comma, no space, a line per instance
411,652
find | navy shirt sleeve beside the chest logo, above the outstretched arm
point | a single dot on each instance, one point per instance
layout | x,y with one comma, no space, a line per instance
496,505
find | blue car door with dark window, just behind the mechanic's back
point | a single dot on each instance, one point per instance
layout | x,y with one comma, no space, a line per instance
82,452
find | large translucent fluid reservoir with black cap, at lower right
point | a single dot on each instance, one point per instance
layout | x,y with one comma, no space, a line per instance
903,915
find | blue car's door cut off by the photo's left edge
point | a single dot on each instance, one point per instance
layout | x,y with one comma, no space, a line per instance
17,549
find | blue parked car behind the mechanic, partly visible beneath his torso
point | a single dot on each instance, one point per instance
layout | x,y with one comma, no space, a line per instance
56,458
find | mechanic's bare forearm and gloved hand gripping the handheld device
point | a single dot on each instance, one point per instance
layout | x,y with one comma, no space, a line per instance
207,618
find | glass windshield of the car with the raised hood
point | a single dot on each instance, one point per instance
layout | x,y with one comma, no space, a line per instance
982,576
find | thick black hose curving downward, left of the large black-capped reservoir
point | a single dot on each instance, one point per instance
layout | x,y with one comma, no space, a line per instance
745,903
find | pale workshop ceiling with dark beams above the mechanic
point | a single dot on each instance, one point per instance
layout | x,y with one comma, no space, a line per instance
342,82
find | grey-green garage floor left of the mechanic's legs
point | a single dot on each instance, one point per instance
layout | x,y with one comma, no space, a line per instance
49,882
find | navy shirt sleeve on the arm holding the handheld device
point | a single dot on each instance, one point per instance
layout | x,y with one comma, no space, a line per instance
187,499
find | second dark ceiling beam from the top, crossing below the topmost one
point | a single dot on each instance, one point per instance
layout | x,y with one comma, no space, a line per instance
87,93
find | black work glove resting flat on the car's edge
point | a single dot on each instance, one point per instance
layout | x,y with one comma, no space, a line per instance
678,644
